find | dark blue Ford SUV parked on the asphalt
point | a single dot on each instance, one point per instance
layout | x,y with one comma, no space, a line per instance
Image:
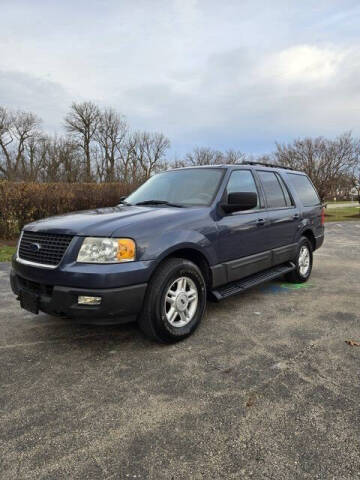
184,235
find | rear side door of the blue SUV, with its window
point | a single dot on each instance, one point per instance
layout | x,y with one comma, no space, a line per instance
283,216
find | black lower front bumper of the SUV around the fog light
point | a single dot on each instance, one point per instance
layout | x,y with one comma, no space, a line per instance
118,305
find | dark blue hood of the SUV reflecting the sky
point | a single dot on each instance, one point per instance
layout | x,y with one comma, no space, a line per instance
102,221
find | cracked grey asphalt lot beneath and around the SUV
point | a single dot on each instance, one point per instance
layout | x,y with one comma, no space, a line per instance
267,388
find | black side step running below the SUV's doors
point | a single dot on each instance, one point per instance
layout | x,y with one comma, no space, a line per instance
239,286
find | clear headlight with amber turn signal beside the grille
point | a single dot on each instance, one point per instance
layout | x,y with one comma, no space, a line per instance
106,250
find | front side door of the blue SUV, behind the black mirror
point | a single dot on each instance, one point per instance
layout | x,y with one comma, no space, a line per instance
242,240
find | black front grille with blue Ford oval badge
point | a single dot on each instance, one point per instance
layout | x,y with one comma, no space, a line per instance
44,248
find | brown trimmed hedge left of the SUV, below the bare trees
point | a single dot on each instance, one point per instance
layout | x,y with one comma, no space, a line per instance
21,203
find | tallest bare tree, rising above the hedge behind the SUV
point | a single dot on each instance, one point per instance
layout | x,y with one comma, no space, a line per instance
82,122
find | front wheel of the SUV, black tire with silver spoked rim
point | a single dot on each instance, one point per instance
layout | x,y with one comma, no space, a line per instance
172,311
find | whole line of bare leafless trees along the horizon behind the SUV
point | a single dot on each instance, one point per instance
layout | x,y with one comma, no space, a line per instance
99,146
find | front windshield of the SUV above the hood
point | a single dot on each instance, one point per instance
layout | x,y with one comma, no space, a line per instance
193,186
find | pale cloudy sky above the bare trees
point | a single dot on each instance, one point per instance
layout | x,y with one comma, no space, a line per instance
226,74
